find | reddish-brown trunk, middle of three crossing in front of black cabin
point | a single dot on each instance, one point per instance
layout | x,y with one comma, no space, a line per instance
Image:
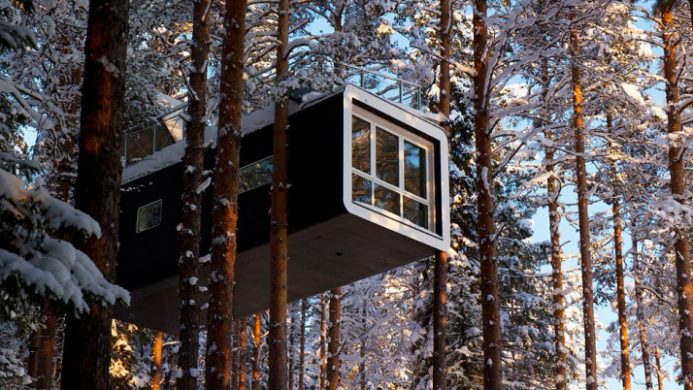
225,213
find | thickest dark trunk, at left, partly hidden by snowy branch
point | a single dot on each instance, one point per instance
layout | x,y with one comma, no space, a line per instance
87,349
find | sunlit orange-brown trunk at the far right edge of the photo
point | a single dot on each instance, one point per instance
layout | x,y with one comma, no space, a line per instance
678,187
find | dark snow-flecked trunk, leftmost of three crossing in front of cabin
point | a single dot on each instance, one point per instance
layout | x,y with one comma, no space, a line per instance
191,213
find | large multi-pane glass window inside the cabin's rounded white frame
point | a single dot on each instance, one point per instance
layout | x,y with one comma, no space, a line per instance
391,171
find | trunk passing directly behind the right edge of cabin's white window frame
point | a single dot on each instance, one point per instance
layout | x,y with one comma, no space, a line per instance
440,279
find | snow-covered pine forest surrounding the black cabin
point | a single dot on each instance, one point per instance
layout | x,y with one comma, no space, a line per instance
569,126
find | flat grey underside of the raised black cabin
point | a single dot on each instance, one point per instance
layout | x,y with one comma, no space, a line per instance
332,253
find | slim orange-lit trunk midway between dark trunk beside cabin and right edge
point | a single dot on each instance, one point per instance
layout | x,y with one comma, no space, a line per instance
585,254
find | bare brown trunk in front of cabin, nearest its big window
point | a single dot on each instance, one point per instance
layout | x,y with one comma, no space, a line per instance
279,249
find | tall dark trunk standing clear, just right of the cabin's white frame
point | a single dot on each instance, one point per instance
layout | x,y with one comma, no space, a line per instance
490,304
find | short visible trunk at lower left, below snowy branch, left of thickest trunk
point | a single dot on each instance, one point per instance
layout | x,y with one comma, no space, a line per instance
42,348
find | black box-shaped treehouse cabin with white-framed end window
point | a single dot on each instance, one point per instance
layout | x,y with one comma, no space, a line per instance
368,193
